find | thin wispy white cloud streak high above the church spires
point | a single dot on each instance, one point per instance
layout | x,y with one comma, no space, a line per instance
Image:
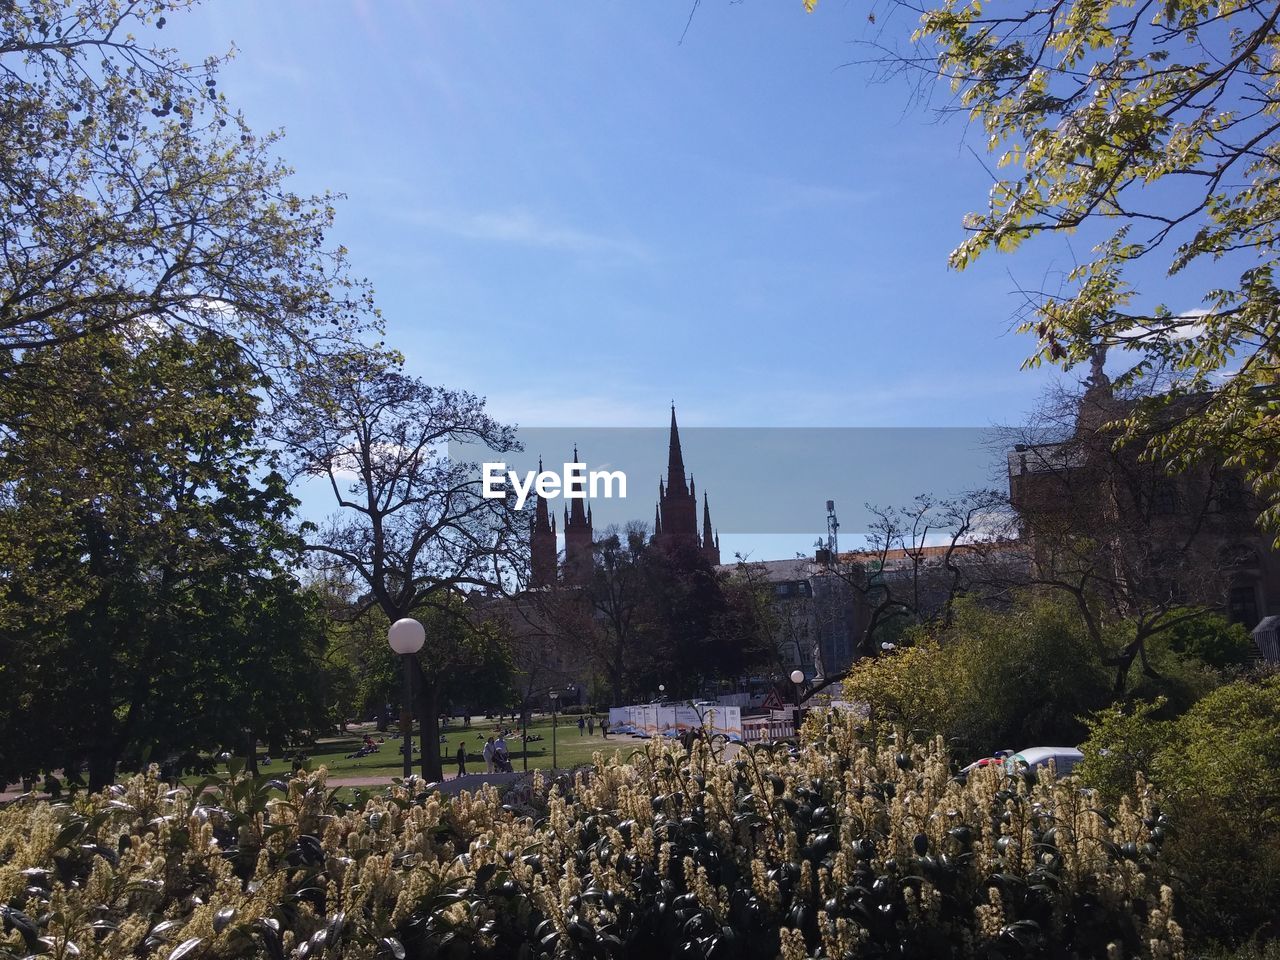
524,228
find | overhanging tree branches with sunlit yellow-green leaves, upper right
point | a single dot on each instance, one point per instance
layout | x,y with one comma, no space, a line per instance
1153,130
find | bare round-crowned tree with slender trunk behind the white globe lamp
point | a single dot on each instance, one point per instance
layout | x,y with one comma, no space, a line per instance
412,525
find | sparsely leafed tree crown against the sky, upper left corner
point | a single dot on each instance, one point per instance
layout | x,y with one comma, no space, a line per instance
131,194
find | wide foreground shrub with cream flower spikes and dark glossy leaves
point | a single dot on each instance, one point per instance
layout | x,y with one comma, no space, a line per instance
853,849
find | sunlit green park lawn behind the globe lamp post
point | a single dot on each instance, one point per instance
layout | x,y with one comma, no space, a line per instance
572,749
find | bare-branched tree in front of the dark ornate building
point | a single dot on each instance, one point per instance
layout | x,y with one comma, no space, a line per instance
1137,551
